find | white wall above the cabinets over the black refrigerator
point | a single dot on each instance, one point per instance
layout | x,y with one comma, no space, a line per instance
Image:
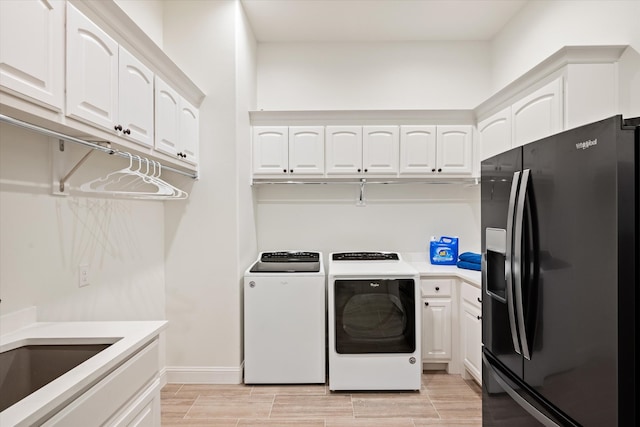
543,27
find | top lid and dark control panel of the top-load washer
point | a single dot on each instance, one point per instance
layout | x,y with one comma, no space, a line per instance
287,262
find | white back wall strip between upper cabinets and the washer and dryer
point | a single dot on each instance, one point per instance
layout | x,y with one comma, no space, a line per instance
399,217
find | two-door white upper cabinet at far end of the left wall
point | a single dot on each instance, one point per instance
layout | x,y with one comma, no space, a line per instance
177,124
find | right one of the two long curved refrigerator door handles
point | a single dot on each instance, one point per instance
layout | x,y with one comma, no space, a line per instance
517,262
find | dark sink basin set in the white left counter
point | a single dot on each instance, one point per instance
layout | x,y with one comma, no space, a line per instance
25,369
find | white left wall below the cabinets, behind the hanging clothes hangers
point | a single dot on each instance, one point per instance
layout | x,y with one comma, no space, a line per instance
46,237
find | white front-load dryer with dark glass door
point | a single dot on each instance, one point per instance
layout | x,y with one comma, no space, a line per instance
373,322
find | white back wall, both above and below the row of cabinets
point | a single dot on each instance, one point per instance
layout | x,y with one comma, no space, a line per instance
343,76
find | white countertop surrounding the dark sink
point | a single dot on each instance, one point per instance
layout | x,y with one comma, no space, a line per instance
127,338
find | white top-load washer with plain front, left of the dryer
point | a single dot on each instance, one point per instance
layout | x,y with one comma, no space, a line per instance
285,319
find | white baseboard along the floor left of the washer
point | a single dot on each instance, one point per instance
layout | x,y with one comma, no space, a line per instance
202,375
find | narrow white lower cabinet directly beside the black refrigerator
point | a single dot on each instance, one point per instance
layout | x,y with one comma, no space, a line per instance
471,331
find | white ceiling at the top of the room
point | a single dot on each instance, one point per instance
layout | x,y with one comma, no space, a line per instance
378,20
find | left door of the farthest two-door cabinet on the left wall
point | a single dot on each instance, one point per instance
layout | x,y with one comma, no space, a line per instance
167,116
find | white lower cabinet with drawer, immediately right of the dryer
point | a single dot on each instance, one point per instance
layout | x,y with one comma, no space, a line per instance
436,320
